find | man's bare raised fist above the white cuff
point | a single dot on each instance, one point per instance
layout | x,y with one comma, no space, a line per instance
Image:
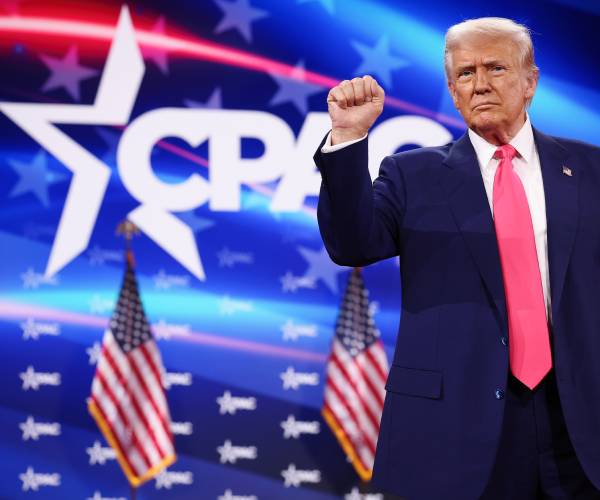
353,106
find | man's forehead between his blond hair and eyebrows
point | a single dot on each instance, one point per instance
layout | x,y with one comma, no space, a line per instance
479,49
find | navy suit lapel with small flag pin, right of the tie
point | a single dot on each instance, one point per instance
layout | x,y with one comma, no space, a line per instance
560,192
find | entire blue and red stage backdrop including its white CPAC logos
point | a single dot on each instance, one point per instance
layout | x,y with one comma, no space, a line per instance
207,146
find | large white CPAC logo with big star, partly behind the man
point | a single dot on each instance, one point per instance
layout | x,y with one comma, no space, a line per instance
285,157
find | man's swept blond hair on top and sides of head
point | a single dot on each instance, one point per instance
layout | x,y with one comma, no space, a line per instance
494,27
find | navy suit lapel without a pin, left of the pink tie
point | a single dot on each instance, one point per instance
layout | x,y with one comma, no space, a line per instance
468,203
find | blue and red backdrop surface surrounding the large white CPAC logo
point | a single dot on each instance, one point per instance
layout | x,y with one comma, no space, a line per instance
266,271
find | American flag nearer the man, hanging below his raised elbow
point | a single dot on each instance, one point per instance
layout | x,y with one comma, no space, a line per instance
356,373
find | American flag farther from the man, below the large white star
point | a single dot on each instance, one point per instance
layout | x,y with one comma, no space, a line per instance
128,400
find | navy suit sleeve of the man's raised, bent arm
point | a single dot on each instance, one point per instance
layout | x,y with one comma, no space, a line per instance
359,220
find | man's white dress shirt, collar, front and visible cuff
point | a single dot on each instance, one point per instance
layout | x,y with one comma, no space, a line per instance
527,166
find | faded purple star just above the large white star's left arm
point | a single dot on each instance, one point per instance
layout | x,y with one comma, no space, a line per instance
66,73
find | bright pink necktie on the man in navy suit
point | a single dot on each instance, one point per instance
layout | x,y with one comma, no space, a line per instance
529,342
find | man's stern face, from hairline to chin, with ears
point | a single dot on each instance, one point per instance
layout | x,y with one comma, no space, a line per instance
489,87
